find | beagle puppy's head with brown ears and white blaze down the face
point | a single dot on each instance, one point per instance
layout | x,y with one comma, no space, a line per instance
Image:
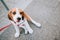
16,15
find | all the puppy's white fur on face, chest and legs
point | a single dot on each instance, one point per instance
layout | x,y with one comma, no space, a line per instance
27,28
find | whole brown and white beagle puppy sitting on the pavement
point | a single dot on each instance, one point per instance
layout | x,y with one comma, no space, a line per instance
19,19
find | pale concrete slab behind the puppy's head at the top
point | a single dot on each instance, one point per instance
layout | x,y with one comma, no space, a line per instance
17,3
